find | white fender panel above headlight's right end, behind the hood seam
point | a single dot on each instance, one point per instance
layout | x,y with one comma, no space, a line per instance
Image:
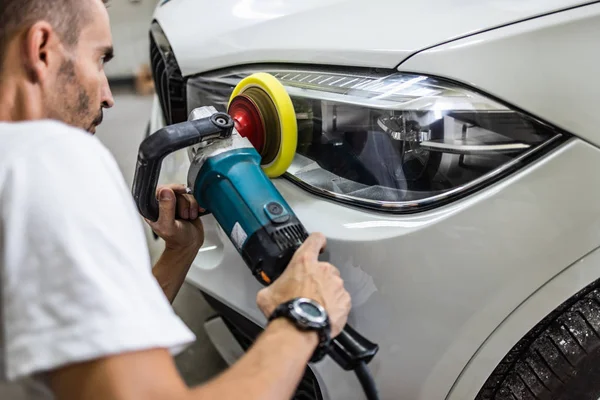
547,66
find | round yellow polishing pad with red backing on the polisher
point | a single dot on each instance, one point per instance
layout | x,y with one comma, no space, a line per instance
275,126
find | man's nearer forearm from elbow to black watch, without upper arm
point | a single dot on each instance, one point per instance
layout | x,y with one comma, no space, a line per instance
270,370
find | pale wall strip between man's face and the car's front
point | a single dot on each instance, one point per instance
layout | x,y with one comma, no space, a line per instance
130,21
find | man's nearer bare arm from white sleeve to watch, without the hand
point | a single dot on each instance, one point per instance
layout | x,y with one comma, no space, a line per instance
270,370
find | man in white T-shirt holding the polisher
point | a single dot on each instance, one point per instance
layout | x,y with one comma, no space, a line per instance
82,313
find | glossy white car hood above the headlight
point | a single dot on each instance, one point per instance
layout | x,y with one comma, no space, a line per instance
208,34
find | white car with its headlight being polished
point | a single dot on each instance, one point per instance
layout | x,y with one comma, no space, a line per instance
449,152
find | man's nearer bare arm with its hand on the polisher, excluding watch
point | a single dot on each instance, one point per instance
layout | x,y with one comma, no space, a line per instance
270,370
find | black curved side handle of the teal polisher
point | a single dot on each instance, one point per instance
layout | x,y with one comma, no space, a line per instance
165,141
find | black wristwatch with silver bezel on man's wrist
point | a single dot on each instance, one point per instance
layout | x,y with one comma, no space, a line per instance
307,315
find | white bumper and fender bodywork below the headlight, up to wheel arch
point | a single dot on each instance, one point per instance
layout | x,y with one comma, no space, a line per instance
457,273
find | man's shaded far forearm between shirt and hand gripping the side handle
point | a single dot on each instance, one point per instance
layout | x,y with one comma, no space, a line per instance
171,269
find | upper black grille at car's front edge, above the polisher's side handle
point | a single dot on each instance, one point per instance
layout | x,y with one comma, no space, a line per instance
168,80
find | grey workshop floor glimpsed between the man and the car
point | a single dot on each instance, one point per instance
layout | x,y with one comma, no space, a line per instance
122,130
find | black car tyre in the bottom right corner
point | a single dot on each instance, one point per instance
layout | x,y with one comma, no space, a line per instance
557,360
